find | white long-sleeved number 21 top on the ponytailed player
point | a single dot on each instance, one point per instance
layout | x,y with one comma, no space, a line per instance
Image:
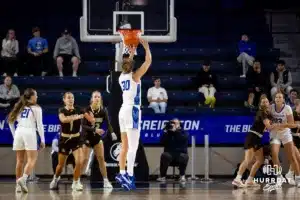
30,118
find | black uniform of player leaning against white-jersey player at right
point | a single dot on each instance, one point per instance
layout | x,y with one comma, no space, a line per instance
254,137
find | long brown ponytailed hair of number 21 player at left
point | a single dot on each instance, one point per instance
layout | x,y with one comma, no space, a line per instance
19,106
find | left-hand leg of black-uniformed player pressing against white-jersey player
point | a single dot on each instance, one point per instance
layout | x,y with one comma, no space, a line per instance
249,154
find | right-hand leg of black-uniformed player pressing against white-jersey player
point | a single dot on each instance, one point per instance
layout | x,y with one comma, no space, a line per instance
259,160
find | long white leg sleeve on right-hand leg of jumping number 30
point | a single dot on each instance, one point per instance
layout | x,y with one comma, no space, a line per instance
133,136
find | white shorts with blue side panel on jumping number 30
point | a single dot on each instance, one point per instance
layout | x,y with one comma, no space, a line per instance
129,118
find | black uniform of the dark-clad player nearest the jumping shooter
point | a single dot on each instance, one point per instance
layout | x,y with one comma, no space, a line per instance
90,137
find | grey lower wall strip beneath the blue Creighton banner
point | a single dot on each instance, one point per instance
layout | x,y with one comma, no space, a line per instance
223,160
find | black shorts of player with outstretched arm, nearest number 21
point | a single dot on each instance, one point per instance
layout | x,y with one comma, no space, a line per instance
67,145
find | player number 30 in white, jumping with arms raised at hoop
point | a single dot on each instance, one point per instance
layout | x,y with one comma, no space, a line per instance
130,115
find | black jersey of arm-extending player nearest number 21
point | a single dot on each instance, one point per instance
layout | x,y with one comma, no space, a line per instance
71,127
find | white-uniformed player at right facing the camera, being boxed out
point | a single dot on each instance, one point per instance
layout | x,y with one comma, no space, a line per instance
283,114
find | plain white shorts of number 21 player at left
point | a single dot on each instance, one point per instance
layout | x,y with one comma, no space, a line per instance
25,139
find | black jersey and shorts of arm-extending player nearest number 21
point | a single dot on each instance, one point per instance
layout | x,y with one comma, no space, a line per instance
73,142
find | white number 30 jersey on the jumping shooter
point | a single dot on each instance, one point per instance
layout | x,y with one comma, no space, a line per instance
131,90
